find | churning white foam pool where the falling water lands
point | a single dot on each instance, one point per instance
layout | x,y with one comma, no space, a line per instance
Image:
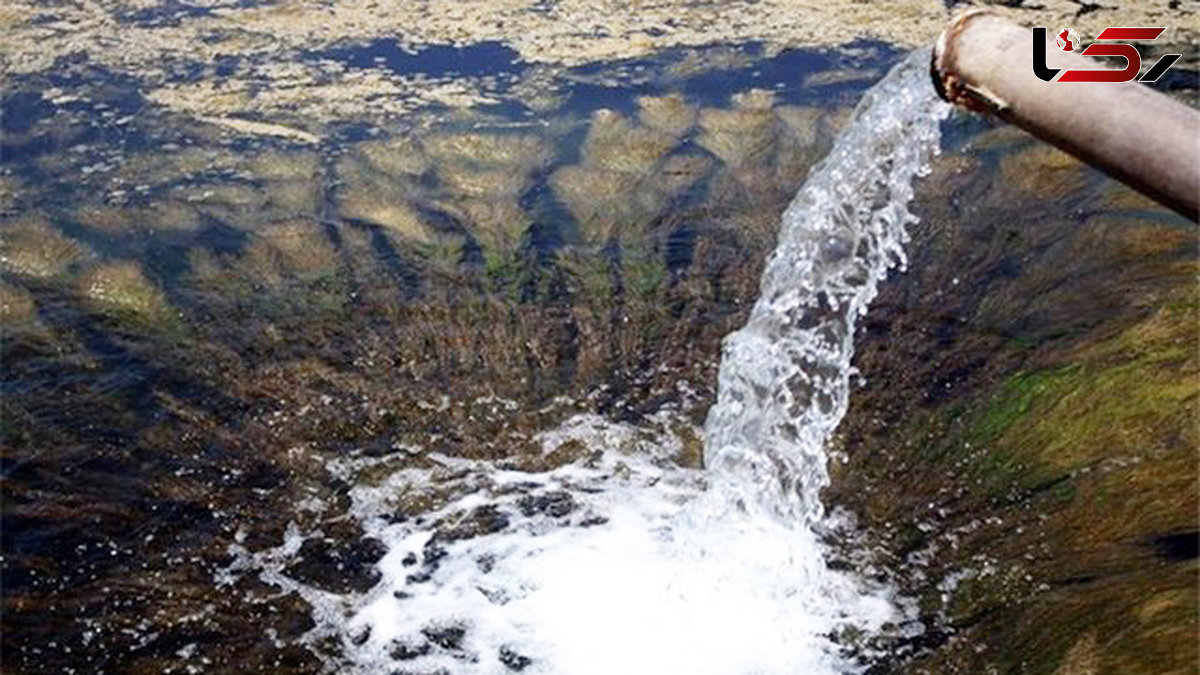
644,592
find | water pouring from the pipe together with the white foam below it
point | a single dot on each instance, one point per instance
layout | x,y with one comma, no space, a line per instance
622,561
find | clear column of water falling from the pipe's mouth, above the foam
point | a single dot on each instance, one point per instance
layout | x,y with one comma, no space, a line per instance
785,377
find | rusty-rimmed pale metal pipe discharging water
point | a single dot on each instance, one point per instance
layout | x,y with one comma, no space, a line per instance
1135,134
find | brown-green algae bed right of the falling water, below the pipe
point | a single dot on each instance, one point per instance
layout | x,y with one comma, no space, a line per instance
1028,434
